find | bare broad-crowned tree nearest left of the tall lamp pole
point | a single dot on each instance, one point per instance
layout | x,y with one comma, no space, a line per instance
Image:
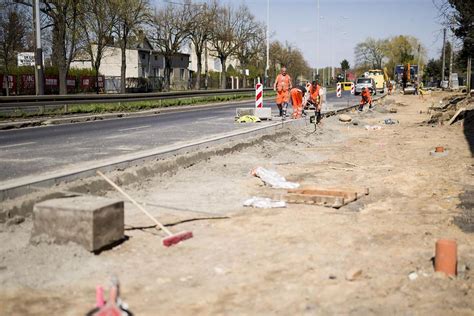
231,29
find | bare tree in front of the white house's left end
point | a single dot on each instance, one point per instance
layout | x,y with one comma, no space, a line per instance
97,22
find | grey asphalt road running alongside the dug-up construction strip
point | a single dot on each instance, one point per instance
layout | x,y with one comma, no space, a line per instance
33,151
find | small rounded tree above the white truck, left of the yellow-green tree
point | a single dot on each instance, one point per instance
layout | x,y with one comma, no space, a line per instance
371,53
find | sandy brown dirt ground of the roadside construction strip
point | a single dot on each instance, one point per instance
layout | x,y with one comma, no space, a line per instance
289,261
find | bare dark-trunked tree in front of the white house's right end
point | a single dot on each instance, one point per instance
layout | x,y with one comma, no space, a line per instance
171,28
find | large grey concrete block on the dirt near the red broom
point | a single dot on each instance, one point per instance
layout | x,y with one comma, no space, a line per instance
90,221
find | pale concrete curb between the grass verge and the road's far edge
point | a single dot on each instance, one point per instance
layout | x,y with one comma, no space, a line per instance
70,119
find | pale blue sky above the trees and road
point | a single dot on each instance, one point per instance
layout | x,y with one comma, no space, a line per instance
344,23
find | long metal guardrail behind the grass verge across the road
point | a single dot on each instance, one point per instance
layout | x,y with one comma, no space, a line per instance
32,101
